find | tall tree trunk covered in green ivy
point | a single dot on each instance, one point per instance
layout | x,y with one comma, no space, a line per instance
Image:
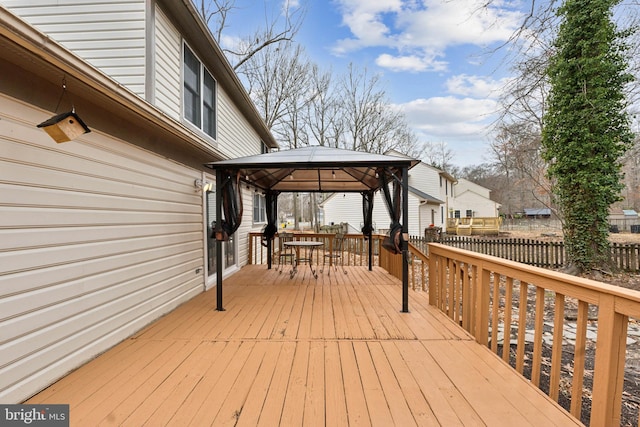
586,129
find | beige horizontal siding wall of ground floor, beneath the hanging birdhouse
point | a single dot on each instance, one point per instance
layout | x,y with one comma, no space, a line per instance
98,238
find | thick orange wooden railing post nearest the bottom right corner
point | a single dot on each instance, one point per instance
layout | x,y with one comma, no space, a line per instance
609,365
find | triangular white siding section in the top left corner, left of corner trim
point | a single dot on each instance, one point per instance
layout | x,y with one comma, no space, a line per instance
108,34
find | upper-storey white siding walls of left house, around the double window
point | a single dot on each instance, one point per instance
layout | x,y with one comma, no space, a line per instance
116,46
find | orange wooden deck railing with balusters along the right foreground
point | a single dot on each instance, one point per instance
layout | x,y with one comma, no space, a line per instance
485,294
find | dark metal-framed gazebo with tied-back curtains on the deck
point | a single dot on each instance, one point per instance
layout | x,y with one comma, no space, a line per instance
314,169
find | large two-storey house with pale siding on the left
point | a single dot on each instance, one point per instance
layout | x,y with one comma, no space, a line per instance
102,235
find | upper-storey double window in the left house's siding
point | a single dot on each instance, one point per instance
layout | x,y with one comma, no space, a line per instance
199,94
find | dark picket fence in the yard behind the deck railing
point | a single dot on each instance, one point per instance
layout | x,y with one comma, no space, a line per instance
532,252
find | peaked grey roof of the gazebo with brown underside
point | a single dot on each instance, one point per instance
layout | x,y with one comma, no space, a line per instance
316,169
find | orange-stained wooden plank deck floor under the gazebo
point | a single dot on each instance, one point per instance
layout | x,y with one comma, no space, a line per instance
333,351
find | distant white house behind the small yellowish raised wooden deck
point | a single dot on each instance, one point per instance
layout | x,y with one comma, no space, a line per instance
472,200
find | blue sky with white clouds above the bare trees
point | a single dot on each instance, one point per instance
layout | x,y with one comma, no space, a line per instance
431,56
